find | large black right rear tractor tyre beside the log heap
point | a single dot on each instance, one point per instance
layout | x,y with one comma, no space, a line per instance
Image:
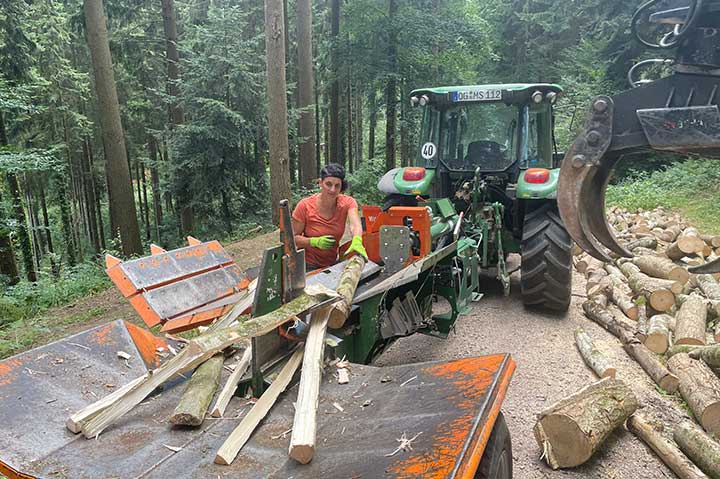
546,269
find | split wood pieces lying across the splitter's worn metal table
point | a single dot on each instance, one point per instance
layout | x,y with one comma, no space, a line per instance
206,354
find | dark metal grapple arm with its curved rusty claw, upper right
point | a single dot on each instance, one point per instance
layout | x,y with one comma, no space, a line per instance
678,113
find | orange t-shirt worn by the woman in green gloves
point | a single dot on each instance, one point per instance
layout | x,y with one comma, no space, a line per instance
316,225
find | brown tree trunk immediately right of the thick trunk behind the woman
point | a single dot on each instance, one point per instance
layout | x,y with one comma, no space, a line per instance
306,130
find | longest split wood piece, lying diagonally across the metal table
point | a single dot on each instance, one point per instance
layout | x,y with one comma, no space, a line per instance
200,349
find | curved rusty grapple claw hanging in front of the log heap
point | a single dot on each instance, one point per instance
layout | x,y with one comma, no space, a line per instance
581,188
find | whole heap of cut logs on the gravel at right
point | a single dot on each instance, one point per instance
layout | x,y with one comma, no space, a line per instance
668,320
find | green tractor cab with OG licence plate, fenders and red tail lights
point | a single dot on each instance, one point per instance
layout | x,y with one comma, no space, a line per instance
497,131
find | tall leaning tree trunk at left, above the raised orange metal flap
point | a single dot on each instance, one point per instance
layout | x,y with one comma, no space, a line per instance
118,174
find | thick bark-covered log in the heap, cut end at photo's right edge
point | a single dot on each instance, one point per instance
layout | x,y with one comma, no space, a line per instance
700,388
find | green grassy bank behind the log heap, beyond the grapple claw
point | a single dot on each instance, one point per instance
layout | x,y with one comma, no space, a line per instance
692,187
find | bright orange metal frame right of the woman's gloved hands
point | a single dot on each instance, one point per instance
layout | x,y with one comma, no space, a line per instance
396,216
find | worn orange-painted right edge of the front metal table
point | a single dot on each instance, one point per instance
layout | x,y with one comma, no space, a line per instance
468,433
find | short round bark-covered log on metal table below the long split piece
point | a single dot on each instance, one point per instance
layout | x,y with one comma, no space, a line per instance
199,392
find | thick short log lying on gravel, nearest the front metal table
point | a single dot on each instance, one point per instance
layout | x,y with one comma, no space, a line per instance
571,430
